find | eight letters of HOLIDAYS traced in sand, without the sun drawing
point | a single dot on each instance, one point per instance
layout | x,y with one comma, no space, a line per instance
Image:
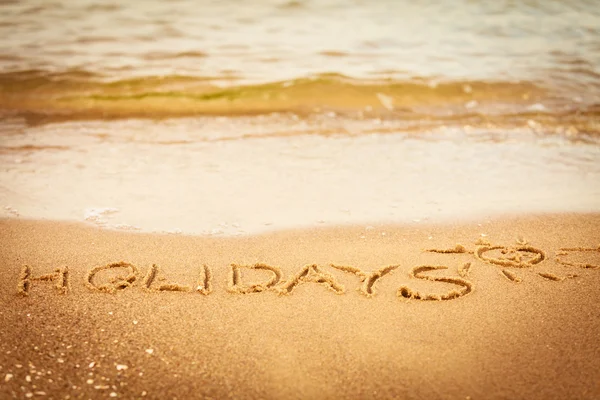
127,275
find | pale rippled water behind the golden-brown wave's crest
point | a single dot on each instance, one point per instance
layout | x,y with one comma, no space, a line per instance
281,39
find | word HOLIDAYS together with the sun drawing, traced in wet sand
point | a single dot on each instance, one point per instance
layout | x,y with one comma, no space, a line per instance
509,258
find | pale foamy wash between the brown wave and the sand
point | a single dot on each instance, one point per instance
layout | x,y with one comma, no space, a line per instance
236,176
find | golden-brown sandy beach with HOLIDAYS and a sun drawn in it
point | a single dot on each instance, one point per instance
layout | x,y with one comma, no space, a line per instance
515,316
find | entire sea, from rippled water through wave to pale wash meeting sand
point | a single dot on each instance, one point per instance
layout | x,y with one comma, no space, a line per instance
231,117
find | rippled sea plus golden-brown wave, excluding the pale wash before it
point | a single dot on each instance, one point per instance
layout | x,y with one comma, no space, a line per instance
418,58
